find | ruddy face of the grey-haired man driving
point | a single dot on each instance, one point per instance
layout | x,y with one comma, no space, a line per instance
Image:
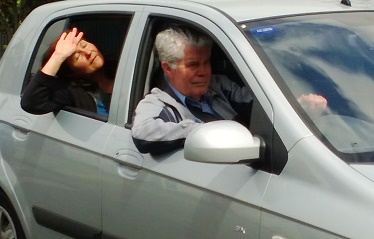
192,74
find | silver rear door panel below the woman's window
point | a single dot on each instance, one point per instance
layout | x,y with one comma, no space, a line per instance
60,171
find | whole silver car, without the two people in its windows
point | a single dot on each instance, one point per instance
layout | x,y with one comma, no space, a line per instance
74,174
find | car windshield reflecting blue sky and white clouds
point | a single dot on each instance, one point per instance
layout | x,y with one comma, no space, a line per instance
331,55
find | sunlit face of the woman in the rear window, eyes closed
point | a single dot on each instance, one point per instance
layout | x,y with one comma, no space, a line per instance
86,59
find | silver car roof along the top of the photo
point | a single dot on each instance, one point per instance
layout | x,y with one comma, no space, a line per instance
242,10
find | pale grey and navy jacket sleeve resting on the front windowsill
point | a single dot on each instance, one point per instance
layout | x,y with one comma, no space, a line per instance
158,127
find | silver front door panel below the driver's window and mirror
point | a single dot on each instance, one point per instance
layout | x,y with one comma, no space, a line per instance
170,197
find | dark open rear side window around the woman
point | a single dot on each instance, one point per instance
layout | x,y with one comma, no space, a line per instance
107,32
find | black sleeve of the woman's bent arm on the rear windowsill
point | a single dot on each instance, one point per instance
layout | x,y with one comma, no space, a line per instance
45,94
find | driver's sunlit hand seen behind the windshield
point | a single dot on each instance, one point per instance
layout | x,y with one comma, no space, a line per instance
313,104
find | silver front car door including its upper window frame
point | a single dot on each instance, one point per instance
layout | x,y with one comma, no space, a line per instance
167,196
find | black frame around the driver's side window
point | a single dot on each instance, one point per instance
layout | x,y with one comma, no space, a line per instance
274,145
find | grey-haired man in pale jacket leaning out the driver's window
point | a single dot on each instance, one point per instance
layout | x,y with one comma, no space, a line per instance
191,95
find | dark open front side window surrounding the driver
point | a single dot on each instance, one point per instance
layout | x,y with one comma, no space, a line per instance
149,74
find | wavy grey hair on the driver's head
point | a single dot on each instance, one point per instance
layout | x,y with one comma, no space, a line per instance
170,43
